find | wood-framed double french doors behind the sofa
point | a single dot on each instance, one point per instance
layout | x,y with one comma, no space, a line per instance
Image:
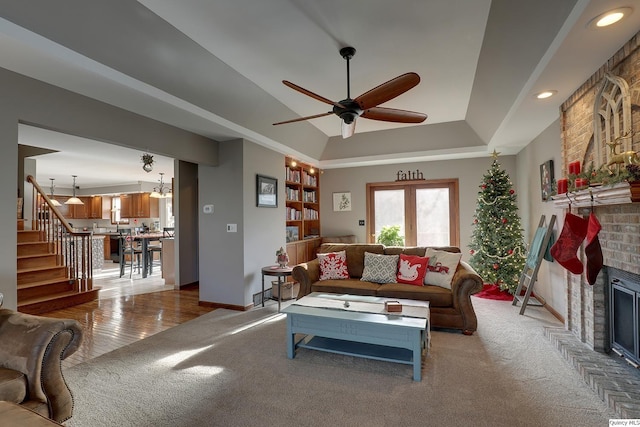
426,211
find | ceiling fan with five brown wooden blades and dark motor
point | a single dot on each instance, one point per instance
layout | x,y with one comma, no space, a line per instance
365,105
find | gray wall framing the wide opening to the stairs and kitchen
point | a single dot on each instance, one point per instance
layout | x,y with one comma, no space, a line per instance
32,102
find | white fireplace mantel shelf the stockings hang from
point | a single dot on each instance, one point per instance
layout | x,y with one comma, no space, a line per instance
604,195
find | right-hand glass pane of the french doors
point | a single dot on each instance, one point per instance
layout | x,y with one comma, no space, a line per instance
432,217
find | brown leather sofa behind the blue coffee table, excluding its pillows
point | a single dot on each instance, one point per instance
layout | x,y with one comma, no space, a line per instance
450,308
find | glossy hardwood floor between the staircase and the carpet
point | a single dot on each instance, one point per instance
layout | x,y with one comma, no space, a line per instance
128,310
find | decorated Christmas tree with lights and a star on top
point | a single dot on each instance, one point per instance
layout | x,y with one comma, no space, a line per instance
497,245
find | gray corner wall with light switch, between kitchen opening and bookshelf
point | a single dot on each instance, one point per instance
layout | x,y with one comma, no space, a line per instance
231,262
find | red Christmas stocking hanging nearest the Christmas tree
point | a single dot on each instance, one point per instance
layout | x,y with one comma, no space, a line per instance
565,248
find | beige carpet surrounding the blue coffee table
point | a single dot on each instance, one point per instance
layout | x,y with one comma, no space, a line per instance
230,369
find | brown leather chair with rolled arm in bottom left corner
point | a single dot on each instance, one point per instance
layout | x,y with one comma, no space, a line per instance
31,351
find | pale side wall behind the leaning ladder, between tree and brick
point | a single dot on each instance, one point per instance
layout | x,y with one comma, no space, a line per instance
546,146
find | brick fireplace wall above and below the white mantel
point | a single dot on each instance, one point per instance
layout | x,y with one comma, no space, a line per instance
584,138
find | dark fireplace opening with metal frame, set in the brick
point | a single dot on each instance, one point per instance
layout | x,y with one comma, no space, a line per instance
624,307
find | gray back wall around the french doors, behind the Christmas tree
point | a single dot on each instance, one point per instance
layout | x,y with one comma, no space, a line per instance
468,171
